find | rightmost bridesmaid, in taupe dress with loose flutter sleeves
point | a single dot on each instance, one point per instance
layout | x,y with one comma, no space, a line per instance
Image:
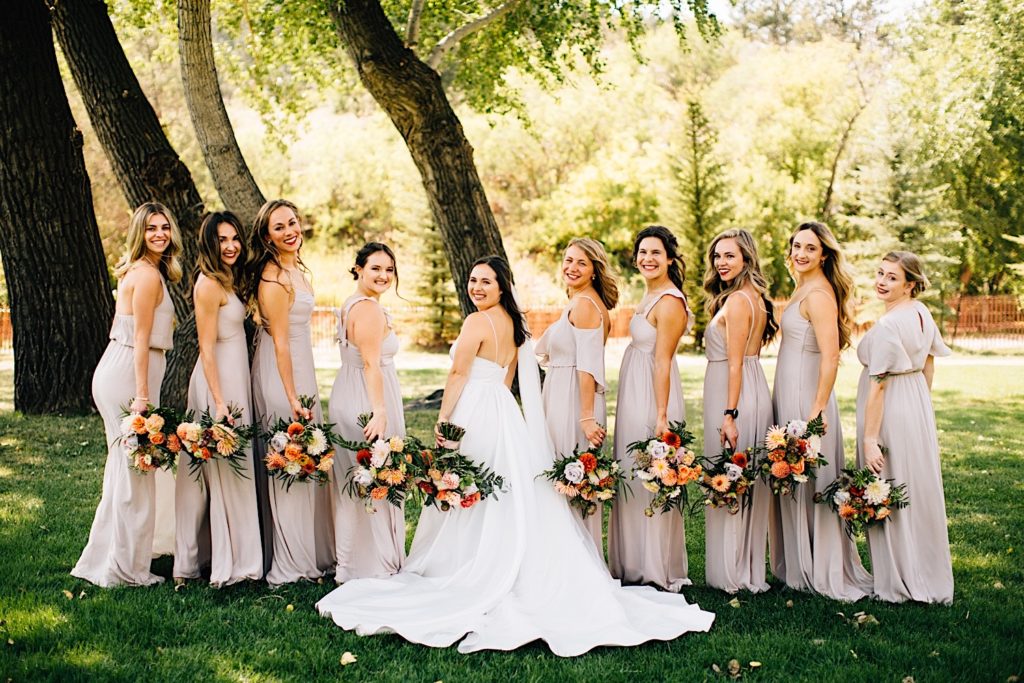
911,552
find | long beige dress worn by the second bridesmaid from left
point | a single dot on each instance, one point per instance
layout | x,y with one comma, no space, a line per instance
218,521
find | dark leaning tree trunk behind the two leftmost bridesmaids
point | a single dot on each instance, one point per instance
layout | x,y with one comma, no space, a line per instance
147,166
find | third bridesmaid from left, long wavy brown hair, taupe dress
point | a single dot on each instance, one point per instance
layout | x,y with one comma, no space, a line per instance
297,522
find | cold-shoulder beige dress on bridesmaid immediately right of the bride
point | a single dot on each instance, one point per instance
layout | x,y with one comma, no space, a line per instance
571,351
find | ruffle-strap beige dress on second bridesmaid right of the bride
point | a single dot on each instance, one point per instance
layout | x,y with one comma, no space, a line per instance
646,550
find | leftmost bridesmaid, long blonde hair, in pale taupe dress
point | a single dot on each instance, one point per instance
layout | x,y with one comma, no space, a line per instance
120,547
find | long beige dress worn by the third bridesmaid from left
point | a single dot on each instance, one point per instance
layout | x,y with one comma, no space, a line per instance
301,522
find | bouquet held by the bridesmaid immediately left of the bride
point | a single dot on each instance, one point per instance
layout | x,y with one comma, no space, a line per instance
383,469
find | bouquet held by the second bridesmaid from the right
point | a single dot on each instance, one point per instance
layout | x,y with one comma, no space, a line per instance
792,455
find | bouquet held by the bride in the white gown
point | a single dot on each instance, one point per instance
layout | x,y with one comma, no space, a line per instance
449,480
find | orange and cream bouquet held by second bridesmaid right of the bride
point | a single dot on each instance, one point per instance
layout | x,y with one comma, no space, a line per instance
666,465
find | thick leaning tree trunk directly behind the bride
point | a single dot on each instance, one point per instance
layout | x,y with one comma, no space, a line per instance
411,93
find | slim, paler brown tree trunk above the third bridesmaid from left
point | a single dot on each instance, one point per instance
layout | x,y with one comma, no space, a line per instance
231,175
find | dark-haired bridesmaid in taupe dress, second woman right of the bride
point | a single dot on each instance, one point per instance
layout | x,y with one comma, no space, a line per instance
651,550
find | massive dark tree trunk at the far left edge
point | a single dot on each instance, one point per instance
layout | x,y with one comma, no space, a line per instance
53,258
